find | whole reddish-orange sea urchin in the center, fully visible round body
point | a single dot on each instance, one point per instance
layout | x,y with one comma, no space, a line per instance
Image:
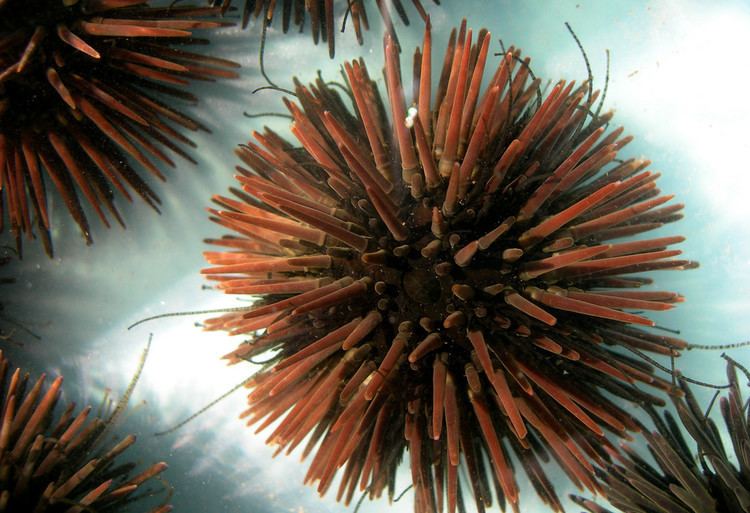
445,284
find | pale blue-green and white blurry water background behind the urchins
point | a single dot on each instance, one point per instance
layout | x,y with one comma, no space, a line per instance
678,76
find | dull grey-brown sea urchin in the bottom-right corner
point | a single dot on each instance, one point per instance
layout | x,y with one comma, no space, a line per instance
695,477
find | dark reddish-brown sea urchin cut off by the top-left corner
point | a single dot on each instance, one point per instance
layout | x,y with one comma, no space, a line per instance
77,84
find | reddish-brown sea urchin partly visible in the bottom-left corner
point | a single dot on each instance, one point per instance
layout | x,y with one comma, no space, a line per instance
57,463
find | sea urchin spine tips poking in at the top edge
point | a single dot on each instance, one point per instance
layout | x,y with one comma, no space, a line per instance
321,14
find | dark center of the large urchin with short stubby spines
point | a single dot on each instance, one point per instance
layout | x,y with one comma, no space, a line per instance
427,276
